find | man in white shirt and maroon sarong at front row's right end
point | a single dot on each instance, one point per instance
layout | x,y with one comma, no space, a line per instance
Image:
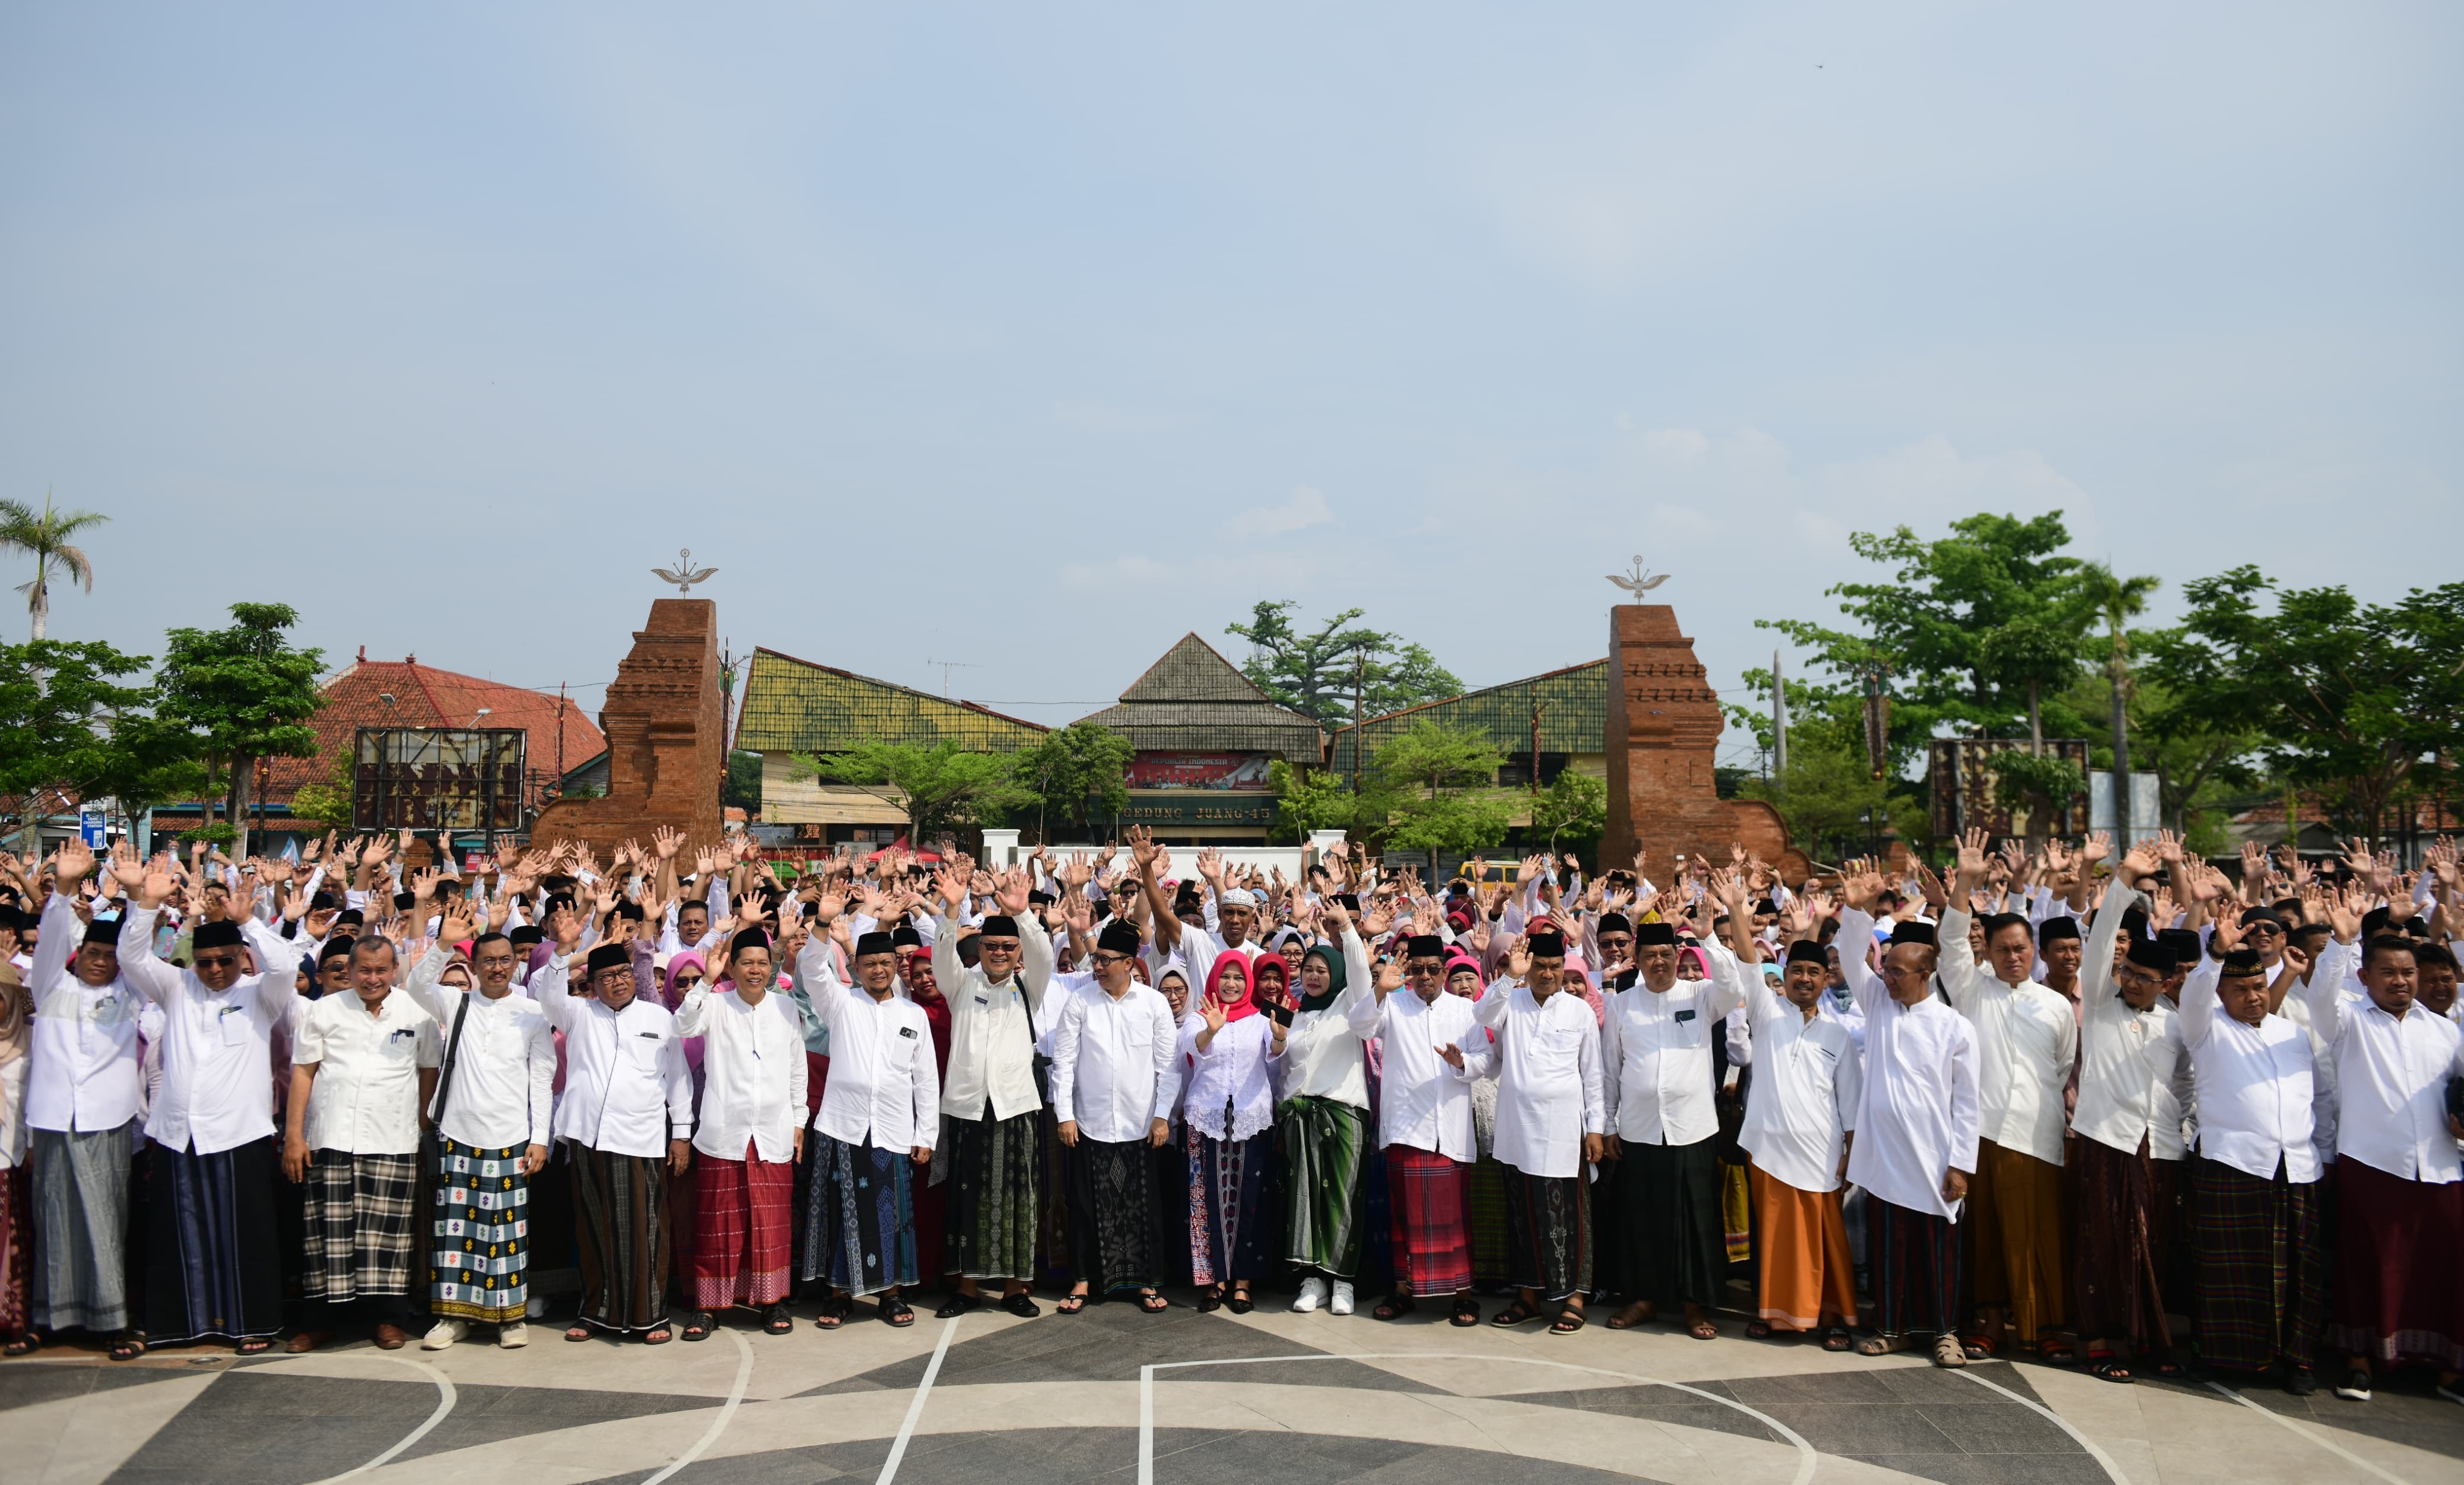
2399,1220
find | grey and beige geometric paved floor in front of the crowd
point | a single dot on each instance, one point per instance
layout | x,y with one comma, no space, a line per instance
1179,1400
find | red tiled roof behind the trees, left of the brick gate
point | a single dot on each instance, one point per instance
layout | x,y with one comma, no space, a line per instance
435,698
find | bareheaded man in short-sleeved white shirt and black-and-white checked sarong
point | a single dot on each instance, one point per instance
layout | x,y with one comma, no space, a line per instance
363,1068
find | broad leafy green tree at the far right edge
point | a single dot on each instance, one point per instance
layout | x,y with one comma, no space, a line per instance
2347,698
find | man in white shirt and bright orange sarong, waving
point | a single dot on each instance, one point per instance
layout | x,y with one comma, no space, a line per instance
1800,1124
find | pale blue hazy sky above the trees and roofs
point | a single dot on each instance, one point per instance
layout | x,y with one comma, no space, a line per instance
1039,336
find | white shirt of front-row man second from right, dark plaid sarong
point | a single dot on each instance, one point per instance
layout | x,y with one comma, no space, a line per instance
2253,1087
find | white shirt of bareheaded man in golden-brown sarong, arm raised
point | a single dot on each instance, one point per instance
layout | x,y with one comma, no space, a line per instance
2027,1040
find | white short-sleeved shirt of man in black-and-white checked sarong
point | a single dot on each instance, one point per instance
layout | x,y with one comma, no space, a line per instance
366,1092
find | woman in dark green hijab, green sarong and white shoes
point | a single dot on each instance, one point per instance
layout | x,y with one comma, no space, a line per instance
1324,1119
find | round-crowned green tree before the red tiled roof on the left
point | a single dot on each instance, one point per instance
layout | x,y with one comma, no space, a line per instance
245,693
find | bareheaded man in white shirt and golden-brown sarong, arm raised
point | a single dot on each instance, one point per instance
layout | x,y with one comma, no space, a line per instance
2027,1043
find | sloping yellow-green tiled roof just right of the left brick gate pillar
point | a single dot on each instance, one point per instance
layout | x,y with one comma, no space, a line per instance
795,706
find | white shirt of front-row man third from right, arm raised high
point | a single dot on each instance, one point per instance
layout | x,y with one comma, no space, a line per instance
2135,1070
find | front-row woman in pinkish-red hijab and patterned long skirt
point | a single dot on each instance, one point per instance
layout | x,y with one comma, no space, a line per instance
1231,1055
